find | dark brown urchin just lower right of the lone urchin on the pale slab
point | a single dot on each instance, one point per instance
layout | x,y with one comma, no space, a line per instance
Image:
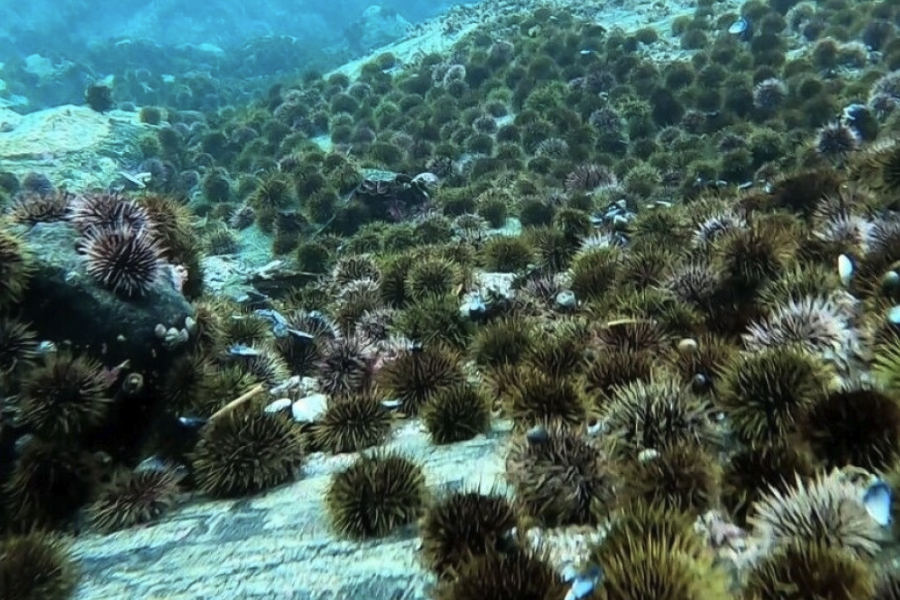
464,525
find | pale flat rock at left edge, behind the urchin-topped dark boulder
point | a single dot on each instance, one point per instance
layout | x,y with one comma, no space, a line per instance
72,145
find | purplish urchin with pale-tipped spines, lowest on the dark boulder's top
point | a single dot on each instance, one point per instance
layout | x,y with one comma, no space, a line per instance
126,261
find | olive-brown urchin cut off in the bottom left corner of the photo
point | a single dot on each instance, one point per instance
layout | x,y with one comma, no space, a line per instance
36,566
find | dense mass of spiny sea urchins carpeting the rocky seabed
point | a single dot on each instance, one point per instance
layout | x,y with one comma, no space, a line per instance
699,372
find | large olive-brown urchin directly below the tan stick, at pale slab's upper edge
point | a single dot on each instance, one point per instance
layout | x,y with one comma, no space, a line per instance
246,450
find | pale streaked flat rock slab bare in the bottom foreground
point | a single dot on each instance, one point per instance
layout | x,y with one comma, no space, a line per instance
280,545
